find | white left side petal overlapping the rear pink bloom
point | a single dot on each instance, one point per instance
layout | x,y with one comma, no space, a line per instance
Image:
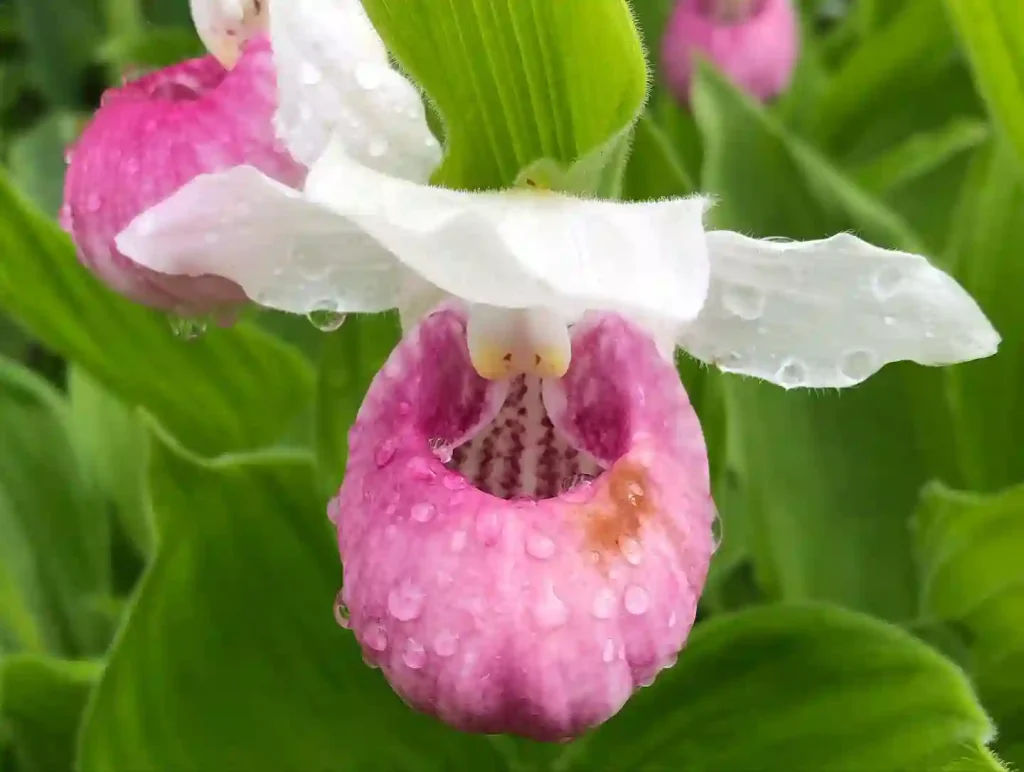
285,252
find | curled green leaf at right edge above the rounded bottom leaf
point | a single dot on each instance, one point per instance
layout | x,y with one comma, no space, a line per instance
970,548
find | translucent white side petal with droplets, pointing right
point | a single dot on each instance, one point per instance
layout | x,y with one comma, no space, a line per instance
830,313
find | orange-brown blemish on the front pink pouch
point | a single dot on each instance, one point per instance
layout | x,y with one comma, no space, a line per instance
619,516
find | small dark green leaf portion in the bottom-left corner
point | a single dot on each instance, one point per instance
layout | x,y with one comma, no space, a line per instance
42,701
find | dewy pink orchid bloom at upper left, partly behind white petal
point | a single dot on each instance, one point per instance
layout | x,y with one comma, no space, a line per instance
154,135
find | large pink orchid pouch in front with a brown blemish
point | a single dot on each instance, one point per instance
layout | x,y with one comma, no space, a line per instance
522,556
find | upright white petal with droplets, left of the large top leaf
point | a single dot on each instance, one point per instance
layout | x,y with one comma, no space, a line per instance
335,78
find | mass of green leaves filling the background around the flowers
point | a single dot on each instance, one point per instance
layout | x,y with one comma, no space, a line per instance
166,568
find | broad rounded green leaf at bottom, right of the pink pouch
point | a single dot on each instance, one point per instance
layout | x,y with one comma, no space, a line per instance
796,689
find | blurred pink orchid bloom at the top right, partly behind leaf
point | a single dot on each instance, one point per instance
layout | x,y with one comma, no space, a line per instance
754,42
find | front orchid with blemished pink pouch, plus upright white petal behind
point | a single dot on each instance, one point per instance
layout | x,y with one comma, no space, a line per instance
526,524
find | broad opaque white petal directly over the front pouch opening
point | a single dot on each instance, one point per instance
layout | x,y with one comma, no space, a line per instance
523,249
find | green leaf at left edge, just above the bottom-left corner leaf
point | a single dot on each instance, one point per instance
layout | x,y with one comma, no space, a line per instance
56,545
